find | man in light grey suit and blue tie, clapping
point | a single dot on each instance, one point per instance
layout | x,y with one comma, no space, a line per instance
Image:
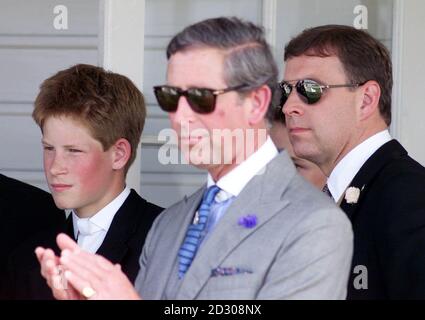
256,230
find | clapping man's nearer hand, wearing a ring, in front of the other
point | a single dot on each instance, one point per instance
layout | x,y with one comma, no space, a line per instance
93,274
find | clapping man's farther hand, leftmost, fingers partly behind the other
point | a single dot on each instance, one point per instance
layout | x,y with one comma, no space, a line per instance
52,271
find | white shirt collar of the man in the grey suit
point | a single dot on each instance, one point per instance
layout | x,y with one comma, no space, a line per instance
234,181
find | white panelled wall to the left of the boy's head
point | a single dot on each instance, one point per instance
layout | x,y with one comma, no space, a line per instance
31,50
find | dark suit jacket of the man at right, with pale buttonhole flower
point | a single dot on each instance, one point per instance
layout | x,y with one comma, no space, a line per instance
389,227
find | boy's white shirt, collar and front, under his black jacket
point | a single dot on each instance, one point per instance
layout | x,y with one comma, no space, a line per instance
90,232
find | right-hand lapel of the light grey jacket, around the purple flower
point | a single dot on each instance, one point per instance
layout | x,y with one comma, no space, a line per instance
227,234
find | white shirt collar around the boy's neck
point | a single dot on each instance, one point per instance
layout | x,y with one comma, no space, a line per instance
104,217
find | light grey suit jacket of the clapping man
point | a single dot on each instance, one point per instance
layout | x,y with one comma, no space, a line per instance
301,247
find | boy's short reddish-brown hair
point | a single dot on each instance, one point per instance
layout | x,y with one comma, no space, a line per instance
107,103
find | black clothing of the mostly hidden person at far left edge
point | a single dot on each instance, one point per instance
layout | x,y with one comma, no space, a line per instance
24,211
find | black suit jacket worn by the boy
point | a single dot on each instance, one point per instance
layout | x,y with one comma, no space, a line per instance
123,244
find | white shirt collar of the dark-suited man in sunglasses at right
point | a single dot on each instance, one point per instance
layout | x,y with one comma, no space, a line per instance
345,171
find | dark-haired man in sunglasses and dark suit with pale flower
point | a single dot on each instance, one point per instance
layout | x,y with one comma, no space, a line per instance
336,97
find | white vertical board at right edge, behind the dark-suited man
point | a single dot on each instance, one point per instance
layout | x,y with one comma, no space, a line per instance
408,70
